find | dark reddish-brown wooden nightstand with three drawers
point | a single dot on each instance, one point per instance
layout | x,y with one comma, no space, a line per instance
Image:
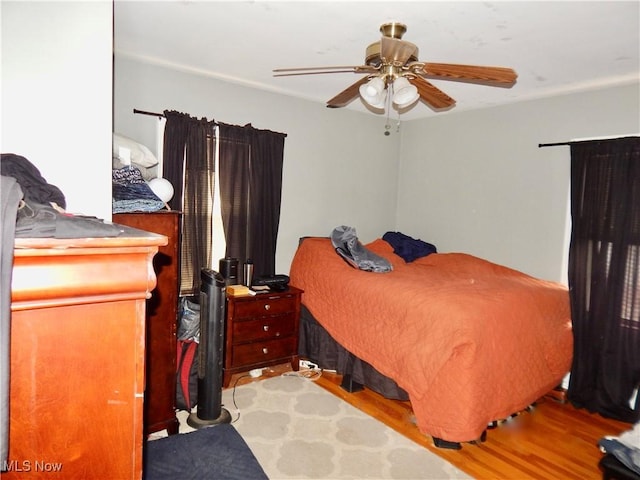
261,330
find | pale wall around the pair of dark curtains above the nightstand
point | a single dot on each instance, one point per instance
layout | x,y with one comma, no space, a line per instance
339,168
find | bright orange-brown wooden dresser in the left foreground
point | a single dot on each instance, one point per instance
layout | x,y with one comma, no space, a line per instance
77,356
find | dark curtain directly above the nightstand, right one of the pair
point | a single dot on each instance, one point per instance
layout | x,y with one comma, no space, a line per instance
251,162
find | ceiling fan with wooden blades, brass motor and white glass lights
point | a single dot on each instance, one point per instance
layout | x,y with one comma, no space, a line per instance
393,74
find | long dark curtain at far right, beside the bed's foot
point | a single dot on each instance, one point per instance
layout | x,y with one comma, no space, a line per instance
604,276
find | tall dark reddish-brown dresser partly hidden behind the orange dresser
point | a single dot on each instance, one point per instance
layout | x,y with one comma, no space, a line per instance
162,319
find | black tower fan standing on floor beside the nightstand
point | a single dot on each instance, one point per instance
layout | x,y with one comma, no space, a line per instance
210,352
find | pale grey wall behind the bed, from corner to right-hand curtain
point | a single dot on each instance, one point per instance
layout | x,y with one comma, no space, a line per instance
477,182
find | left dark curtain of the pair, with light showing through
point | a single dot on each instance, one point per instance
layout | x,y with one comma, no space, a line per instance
189,164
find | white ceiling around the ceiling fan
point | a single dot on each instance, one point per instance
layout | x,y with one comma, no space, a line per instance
555,47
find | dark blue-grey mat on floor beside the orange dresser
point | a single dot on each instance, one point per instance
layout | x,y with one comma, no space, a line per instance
217,452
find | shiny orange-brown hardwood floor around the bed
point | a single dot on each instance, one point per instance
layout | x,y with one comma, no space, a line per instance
552,441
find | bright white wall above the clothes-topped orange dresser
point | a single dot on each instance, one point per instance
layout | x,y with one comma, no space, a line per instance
56,92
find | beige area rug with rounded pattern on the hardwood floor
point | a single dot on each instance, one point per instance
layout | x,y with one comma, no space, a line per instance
297,429
